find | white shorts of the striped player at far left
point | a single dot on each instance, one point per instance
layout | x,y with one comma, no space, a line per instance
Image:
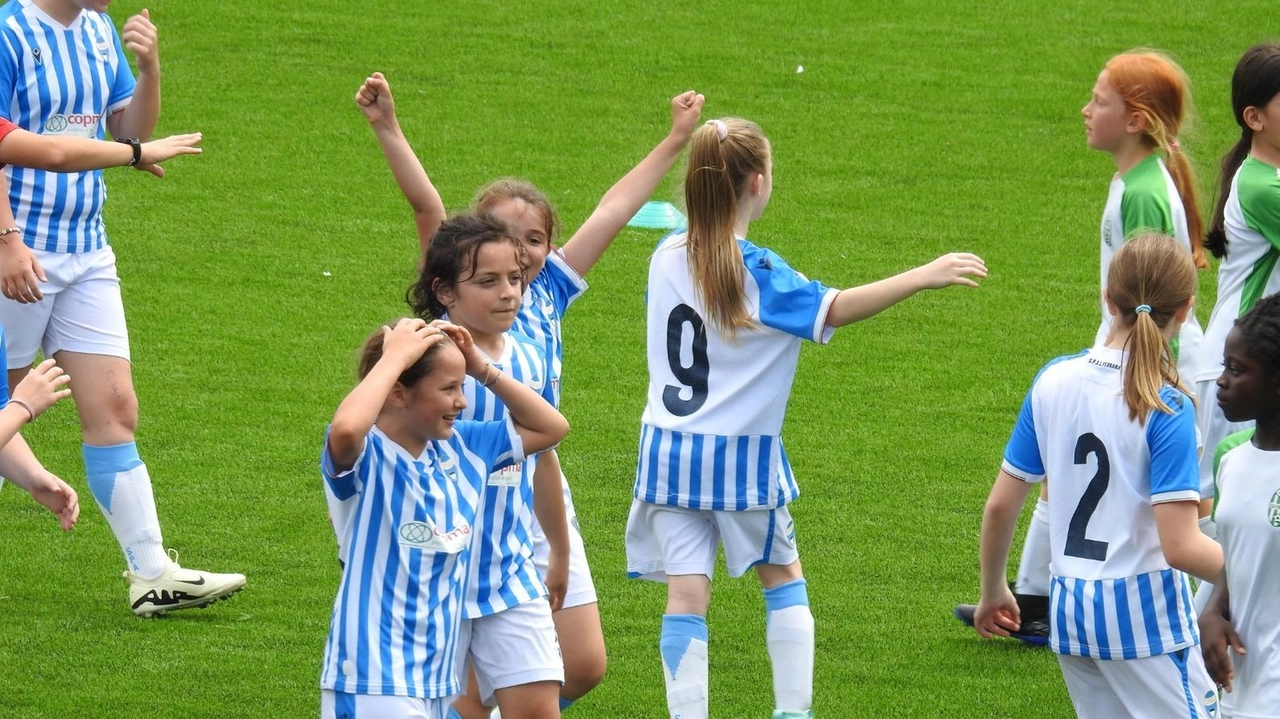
83,310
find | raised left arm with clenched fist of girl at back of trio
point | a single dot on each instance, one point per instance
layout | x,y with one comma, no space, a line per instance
376,102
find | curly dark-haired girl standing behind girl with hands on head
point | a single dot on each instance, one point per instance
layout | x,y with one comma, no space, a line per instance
474,276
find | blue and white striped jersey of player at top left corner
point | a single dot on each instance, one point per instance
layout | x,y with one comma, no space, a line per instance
60,80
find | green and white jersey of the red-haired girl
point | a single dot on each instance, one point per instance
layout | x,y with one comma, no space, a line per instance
1145,200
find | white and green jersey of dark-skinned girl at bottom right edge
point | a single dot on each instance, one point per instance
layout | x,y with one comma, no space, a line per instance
1249,526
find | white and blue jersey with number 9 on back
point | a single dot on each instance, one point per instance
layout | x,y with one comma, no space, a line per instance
711,433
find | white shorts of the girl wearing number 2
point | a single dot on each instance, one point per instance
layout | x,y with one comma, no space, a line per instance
1167,686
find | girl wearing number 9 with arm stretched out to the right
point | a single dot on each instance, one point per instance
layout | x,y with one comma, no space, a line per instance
725,323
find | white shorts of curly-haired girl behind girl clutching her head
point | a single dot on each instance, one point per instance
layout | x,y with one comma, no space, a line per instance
515,647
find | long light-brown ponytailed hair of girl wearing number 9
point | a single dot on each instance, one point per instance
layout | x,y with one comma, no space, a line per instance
724,157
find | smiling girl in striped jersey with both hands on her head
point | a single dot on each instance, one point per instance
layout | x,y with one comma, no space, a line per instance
412,475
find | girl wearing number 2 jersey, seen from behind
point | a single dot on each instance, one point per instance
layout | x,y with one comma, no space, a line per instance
1117,436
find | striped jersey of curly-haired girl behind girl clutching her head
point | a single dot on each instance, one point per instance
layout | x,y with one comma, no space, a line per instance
502,560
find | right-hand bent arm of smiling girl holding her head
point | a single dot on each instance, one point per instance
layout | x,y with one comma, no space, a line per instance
541,425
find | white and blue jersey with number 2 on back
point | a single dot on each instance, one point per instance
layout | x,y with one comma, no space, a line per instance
1113,594
